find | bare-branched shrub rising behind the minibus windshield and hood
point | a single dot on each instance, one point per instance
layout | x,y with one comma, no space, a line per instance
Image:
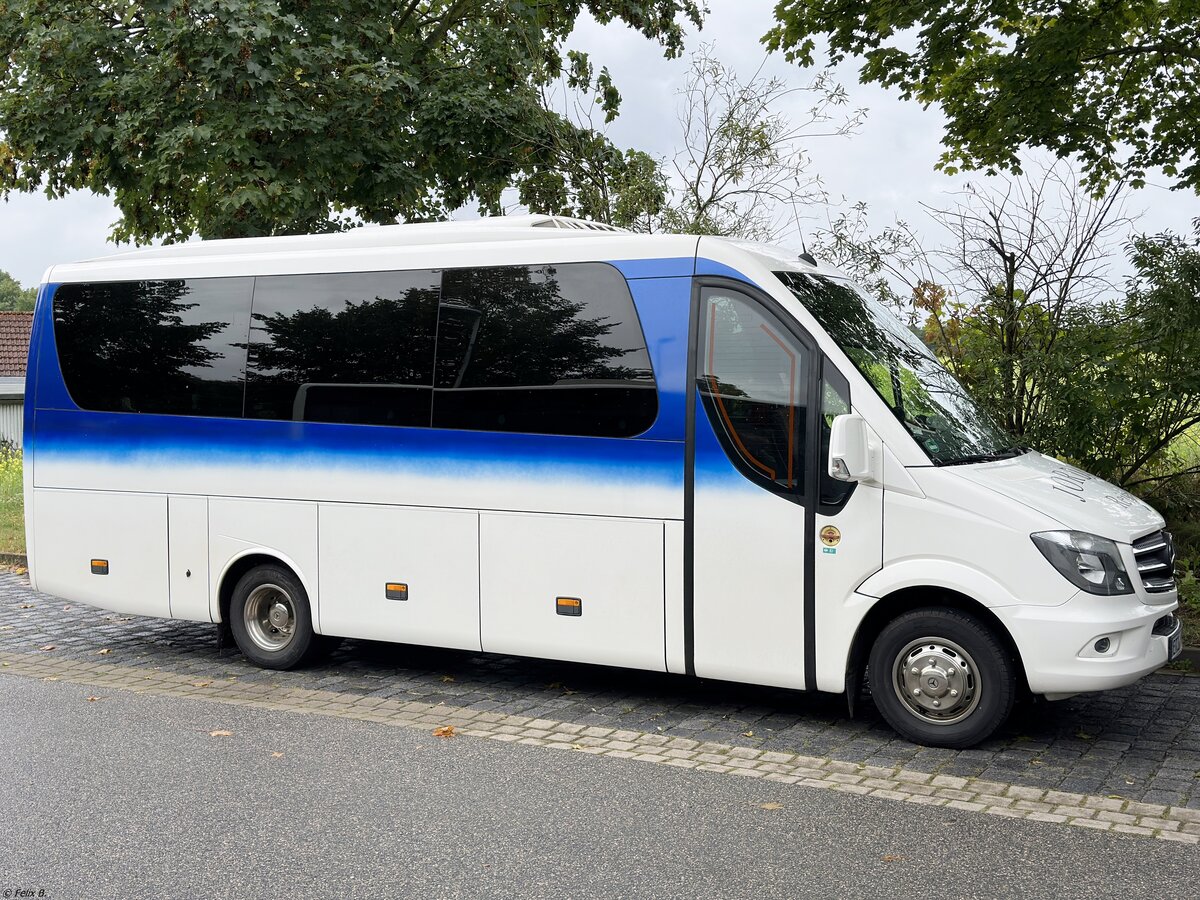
1024,261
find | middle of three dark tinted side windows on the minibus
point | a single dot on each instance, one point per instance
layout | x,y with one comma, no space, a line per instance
344,349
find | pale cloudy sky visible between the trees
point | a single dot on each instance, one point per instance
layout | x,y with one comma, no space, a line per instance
889,164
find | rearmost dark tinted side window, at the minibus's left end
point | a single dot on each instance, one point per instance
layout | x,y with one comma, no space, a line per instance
175,347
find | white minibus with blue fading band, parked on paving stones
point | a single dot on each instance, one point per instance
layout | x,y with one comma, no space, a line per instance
543,437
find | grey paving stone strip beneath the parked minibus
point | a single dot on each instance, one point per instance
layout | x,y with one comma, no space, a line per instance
1137,745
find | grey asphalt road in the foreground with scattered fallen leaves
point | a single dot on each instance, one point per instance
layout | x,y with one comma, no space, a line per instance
131,796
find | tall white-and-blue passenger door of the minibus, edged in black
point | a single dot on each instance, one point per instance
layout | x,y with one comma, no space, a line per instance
752,517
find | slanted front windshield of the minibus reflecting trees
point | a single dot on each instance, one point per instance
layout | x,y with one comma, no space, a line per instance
920,391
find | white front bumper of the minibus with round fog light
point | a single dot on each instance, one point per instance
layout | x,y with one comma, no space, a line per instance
1059,644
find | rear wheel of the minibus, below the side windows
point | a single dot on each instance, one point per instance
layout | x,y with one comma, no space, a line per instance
272,620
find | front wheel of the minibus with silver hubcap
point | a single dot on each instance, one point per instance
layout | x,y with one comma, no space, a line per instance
943,679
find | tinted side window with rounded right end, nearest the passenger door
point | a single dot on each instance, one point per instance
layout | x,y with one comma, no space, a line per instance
545,350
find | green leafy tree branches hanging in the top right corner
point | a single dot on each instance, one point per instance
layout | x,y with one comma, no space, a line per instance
1109,81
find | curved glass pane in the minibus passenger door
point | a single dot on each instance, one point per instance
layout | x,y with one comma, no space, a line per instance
755,381
